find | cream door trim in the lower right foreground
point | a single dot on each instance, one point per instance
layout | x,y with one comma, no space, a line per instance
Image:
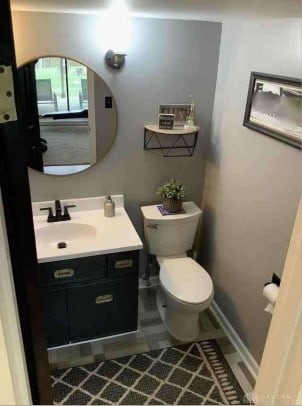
279,379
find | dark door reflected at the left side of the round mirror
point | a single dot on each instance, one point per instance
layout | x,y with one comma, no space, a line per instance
30,115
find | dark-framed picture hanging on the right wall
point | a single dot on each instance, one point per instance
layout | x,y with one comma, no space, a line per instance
274,106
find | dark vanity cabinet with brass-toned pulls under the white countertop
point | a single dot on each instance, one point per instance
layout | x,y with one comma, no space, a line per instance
90,297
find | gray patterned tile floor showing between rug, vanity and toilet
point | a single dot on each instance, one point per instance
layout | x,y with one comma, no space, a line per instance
151,335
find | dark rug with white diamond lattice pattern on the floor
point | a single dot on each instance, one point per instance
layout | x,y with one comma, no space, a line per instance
189,374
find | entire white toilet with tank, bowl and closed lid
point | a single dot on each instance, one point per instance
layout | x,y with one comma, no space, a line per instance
186,288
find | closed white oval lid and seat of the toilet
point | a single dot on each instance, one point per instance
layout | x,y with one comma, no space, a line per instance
186,280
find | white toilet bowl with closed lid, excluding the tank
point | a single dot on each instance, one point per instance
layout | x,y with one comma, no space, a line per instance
186,290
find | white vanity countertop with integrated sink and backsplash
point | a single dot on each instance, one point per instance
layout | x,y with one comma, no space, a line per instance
110,234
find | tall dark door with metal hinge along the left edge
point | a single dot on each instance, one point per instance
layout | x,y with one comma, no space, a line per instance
18,217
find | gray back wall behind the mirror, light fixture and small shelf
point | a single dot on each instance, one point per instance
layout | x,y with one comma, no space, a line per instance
167,61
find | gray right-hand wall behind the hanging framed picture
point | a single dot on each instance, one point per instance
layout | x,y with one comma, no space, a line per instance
253,183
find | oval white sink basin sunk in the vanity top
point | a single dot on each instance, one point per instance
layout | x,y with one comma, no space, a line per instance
54,233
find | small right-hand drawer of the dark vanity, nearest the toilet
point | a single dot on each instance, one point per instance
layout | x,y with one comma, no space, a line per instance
123,263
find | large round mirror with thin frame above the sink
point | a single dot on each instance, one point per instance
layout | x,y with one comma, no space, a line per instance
69,115
